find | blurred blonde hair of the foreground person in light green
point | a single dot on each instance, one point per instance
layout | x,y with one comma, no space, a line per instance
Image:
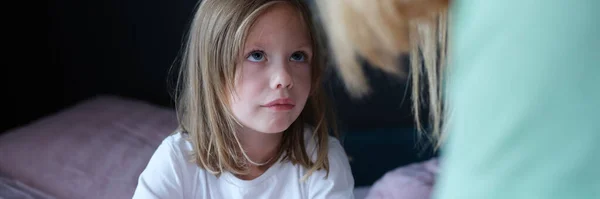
381,31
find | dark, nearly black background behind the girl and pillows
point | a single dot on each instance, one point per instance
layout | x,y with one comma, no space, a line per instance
127,47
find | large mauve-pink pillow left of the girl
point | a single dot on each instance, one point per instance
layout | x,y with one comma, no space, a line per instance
95,149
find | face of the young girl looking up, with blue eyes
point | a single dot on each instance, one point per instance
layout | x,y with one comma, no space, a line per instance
273,77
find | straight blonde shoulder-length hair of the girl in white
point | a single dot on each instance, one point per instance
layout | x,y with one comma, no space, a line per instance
213,48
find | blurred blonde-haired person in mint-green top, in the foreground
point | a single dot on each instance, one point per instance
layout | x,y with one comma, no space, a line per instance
512,87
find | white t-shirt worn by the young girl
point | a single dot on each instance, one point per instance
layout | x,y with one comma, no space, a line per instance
170,174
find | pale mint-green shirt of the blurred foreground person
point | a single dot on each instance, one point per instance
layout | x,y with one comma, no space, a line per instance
524,91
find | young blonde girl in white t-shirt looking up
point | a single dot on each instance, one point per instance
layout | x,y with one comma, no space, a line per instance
253,122
